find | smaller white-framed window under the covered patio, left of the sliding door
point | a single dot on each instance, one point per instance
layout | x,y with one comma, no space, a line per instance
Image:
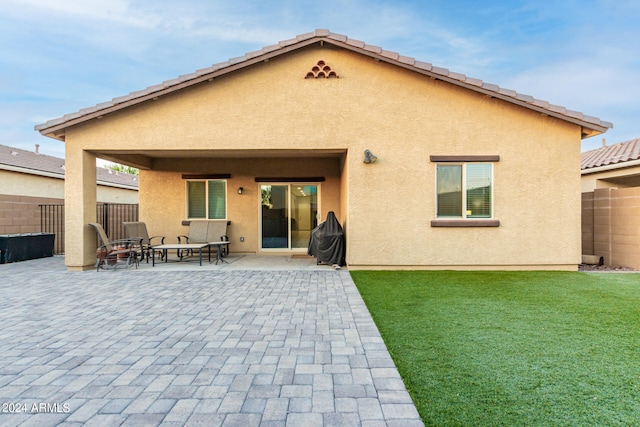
207,199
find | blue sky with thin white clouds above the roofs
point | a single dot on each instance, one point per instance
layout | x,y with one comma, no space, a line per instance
59,56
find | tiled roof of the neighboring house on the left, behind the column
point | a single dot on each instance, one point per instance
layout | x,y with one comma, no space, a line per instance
18,160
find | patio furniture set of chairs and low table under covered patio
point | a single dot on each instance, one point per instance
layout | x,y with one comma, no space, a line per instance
203,234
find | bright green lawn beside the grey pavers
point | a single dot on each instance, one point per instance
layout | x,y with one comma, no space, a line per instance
512,348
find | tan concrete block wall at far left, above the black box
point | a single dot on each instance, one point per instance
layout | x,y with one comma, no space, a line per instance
21,214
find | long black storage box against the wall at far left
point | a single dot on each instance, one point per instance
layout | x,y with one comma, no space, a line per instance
21,247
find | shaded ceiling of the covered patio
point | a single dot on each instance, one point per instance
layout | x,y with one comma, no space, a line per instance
144,159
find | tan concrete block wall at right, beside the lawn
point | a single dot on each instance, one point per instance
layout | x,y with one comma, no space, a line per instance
615,222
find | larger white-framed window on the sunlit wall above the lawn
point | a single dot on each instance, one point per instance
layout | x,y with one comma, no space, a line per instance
464,190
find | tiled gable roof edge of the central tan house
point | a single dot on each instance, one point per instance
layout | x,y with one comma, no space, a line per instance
56,128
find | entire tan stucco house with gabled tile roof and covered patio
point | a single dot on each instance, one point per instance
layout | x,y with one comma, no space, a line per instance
468,175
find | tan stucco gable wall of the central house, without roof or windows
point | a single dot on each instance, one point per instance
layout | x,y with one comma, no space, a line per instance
387,206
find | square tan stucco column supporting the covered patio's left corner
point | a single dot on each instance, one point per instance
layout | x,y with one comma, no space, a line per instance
80,208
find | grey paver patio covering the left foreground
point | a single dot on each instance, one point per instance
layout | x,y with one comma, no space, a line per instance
169,347
